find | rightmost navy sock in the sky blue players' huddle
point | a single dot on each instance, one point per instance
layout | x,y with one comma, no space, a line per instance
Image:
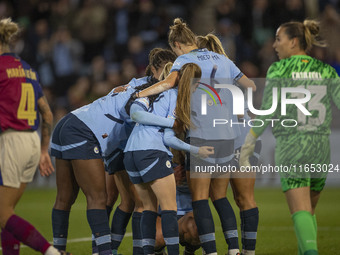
249,223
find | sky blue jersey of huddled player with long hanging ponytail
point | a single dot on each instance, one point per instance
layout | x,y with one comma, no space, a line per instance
144,137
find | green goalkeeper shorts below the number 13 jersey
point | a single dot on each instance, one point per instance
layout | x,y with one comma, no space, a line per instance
305,158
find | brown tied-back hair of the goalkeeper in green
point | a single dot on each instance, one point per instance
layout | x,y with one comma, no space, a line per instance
308,33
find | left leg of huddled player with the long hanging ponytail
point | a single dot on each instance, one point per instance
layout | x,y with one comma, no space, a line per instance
149,217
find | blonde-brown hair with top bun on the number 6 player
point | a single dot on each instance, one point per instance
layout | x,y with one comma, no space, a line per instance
180,32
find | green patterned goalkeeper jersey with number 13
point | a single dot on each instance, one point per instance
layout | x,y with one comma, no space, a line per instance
305,72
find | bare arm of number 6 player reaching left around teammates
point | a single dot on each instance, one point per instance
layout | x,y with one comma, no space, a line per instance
161,86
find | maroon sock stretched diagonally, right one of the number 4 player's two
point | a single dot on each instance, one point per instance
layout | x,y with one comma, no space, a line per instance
24,232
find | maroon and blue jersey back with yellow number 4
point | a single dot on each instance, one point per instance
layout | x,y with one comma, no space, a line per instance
19,93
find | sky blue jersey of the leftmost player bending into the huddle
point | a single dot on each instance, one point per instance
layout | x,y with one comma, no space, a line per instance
107,119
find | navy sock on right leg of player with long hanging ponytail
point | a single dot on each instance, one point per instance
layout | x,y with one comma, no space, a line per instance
170,231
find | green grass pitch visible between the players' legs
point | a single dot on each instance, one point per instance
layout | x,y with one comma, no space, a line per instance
275,233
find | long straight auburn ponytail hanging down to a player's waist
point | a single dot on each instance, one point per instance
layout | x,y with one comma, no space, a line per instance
187,72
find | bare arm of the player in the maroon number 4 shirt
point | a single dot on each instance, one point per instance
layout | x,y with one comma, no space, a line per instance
45,164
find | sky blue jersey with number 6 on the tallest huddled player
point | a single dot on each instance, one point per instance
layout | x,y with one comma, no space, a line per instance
216,69
